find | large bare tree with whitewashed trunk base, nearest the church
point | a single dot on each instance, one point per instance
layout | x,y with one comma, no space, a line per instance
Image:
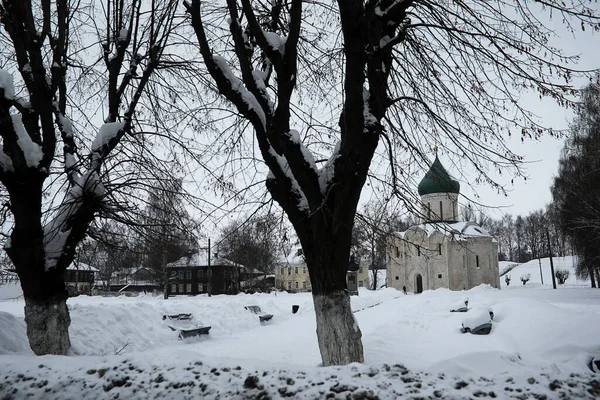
403,74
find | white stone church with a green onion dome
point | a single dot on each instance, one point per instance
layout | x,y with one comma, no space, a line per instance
441,252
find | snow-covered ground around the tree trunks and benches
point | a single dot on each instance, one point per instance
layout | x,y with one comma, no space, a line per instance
540,344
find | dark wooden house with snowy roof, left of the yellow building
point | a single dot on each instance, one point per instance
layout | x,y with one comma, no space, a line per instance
191,275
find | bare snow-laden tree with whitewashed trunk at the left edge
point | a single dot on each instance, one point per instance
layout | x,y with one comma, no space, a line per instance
45,61
